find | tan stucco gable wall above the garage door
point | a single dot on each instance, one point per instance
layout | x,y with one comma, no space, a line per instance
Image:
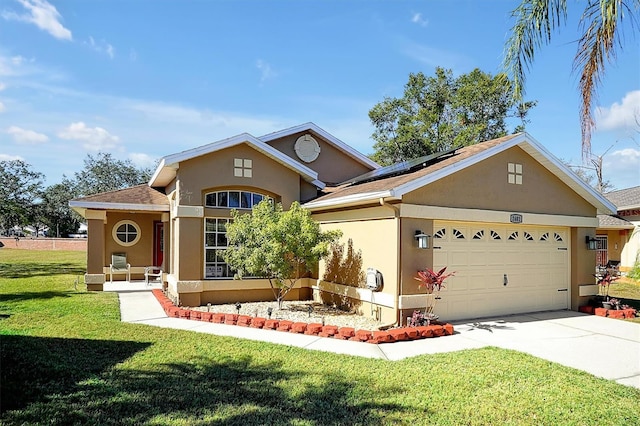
485,186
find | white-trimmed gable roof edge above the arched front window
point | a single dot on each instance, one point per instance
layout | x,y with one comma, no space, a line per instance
169,165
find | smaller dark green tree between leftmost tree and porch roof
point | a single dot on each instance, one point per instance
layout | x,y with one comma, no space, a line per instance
60,219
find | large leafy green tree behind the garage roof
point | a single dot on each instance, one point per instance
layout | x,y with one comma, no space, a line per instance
441,112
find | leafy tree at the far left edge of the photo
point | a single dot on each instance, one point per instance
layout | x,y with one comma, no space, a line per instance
20,190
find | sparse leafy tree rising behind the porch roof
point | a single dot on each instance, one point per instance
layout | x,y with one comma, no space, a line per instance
104,173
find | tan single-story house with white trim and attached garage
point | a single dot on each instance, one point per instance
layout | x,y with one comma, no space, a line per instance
505,215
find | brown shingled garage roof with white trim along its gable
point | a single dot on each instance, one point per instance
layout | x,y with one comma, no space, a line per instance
394,187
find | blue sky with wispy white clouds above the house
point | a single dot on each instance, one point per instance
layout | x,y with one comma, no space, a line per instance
144,79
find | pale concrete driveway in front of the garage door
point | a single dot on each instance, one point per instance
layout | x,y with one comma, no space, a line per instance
604,347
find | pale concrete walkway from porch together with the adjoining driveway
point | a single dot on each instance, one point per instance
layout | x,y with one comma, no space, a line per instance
604,347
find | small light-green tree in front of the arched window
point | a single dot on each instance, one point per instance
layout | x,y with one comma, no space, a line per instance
282,246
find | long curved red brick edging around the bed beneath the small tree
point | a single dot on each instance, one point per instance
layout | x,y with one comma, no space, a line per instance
315,329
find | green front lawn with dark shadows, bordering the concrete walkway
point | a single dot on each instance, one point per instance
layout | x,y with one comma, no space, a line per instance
66,358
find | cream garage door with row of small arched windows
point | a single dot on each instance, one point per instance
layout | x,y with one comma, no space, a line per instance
532,261
